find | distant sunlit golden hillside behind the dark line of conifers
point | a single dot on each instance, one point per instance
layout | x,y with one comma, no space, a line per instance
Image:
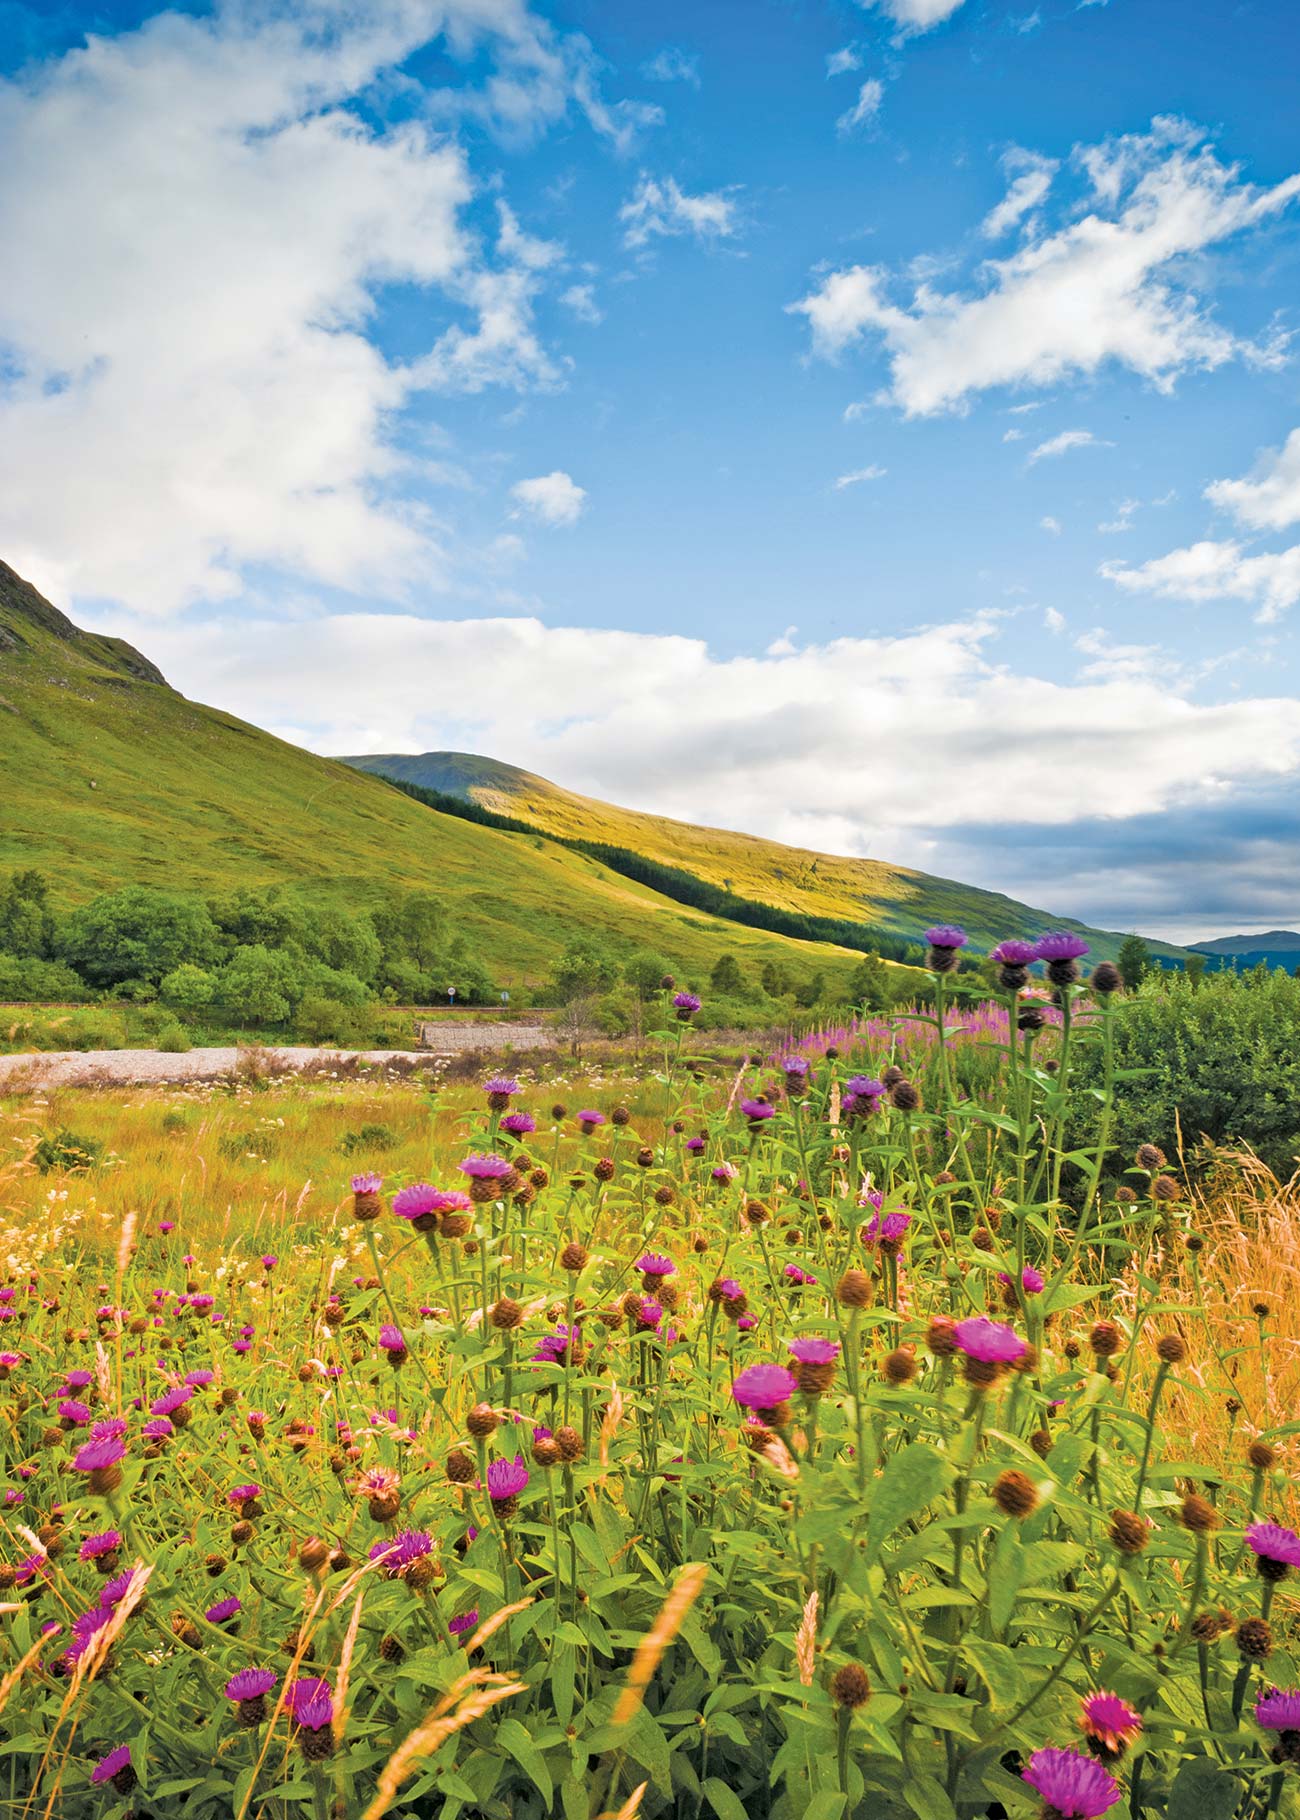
871,891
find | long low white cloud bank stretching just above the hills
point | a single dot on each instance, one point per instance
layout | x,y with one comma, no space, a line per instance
751,742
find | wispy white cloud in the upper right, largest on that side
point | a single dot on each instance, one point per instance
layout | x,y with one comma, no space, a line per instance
1110,287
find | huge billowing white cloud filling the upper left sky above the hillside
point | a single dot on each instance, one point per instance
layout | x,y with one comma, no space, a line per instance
203,227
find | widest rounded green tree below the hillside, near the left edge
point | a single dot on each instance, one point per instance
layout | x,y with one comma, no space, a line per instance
137,935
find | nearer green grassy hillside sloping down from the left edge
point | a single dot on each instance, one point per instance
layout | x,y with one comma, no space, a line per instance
112,778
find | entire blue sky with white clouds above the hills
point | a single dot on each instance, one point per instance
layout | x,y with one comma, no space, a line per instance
866,425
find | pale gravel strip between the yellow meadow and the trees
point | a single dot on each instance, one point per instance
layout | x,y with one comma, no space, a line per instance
99,1067
